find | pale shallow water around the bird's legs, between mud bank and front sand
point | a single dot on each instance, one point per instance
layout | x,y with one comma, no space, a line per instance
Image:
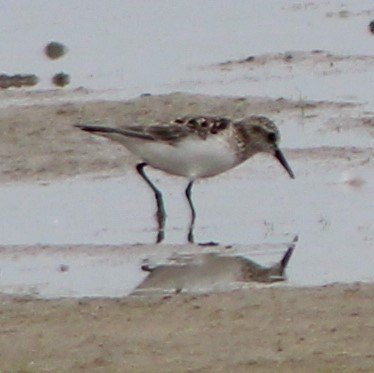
328,211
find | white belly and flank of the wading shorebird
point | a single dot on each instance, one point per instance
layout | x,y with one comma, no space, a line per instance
193,157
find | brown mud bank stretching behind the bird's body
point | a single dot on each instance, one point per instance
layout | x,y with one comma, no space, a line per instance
39,142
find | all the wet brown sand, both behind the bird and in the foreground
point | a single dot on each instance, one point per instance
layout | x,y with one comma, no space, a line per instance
325,329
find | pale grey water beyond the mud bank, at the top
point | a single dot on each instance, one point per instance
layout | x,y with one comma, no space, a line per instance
141,52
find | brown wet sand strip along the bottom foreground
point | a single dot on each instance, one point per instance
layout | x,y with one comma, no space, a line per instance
328,329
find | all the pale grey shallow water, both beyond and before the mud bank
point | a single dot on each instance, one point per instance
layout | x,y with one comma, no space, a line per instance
328,205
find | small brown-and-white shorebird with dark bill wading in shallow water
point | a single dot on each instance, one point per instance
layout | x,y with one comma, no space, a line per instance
194,147
